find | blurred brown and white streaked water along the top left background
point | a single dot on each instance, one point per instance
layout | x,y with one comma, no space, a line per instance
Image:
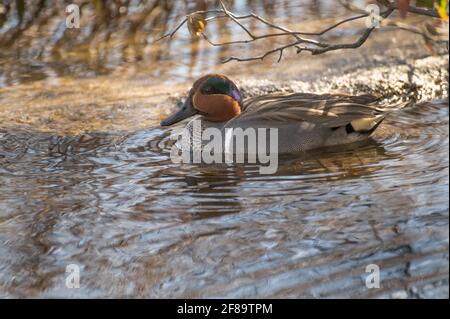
117,37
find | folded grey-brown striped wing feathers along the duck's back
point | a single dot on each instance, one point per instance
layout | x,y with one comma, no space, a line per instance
329,110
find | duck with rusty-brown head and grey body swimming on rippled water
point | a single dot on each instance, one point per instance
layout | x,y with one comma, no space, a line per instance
305,121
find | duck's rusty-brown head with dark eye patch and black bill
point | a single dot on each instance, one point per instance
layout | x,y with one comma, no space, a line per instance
214,96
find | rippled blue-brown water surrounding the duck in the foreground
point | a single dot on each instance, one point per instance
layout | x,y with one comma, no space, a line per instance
86,179
